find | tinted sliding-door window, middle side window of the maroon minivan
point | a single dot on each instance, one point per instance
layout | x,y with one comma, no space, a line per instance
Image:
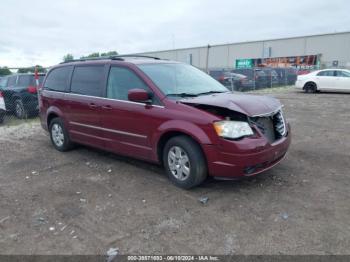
88,80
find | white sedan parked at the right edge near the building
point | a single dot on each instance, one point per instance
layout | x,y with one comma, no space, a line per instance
325,80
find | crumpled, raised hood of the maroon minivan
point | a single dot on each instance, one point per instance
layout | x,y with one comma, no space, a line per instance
250,105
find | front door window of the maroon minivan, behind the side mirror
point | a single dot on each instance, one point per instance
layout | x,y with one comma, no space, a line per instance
120,81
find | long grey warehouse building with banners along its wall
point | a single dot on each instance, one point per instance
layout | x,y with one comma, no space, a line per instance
304,52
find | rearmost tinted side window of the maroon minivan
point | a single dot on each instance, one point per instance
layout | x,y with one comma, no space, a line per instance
58,79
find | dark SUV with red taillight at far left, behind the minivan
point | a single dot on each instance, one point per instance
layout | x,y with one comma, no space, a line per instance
20,94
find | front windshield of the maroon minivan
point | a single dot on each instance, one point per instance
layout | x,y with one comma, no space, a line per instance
181,80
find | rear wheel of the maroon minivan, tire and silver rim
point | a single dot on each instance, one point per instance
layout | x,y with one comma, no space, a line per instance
59,135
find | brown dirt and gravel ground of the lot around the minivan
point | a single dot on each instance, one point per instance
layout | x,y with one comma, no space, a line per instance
86,201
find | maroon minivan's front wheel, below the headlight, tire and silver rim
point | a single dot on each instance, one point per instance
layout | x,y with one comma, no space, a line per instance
191,169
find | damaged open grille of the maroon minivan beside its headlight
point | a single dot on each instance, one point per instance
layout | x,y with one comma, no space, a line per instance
272,126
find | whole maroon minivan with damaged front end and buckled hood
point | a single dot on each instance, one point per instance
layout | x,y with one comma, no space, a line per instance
163,112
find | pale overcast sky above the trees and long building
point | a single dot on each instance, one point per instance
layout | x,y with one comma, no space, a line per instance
42,32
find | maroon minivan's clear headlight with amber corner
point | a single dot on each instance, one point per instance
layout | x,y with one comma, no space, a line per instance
233,129
